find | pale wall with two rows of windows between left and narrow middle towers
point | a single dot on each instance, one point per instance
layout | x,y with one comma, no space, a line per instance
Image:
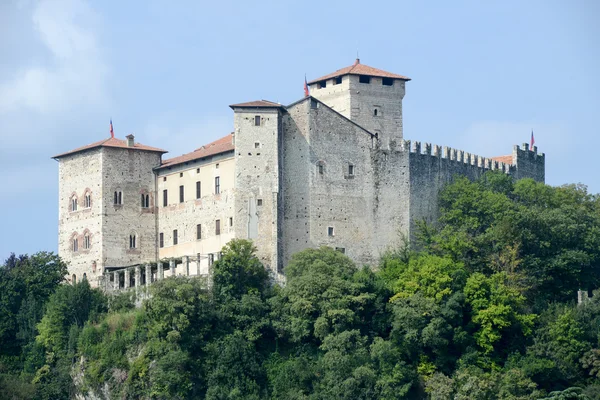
204,211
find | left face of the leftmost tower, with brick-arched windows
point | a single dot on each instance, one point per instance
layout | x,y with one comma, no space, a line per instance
79,174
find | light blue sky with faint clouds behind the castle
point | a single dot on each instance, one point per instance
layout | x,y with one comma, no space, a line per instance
484,74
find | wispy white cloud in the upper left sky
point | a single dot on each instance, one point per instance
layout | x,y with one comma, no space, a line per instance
75,73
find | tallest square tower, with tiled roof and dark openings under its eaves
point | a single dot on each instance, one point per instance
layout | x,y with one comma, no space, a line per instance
368,96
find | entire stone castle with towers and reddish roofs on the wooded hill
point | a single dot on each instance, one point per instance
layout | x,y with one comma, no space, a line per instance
331,169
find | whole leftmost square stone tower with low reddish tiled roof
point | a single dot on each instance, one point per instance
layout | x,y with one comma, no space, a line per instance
107,214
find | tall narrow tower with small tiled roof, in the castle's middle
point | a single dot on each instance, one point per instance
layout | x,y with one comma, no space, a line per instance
258,173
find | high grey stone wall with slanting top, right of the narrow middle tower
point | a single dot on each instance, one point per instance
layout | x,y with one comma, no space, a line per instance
313,201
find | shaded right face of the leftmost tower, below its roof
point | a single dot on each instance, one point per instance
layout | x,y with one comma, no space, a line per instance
128,171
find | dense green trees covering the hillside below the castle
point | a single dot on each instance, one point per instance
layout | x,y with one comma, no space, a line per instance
484,306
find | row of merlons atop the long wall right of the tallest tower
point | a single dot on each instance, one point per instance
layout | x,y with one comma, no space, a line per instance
452,155
